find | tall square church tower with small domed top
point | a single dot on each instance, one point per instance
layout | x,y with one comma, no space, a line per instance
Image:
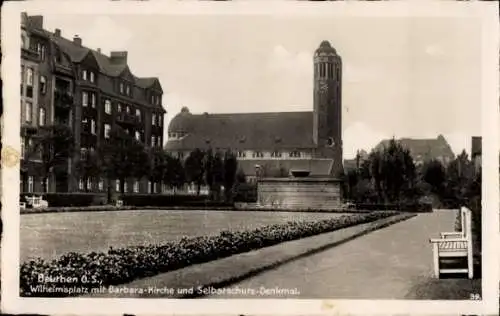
327,113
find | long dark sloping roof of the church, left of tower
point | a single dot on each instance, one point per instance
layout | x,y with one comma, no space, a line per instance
240,131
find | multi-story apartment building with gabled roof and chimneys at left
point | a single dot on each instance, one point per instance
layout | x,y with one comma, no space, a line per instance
64,82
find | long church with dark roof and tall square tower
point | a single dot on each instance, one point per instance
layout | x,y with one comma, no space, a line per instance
278,142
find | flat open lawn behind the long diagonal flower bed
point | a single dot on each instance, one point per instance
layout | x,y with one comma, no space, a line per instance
54,234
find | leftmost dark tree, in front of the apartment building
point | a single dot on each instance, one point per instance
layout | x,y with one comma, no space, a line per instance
55,145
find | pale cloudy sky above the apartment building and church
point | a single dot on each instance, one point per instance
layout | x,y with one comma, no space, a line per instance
403,77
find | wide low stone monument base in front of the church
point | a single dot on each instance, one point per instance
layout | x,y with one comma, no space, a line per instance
300,193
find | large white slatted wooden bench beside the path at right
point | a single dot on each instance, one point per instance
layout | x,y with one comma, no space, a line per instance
455,246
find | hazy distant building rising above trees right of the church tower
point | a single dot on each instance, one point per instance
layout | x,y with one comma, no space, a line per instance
423,150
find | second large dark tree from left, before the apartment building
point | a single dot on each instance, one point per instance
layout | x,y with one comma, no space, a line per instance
124,157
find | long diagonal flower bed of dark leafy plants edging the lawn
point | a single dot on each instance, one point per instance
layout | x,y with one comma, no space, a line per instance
119,266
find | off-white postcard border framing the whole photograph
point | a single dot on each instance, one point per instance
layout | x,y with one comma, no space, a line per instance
12,303
